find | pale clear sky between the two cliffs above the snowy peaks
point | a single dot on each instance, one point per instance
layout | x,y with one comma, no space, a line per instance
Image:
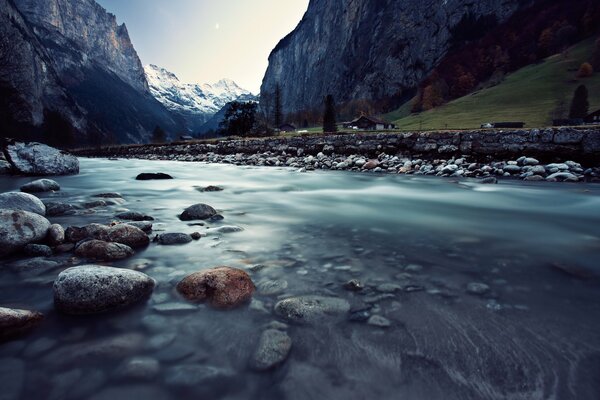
202,41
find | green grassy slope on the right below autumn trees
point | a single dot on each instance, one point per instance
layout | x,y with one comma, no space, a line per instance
528,95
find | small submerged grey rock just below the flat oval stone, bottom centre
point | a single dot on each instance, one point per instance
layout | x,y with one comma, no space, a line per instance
273,348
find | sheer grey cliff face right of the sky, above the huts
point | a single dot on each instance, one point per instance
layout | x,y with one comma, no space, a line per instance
367,50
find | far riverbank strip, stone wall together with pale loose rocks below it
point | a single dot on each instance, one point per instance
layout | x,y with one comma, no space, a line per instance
554,154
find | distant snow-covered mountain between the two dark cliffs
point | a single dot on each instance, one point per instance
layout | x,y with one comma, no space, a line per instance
196,103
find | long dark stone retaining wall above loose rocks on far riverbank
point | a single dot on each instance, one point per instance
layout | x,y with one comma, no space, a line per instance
552,144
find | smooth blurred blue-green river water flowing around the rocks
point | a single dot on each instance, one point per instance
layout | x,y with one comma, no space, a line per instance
534,335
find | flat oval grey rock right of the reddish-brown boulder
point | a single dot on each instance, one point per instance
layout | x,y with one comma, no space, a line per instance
310,309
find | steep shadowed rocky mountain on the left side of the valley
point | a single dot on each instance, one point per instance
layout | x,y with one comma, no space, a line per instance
75,51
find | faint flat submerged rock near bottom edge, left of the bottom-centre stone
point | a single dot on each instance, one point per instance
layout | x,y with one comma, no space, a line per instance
198,376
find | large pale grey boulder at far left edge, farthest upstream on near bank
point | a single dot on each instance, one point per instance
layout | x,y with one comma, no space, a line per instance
39,159
